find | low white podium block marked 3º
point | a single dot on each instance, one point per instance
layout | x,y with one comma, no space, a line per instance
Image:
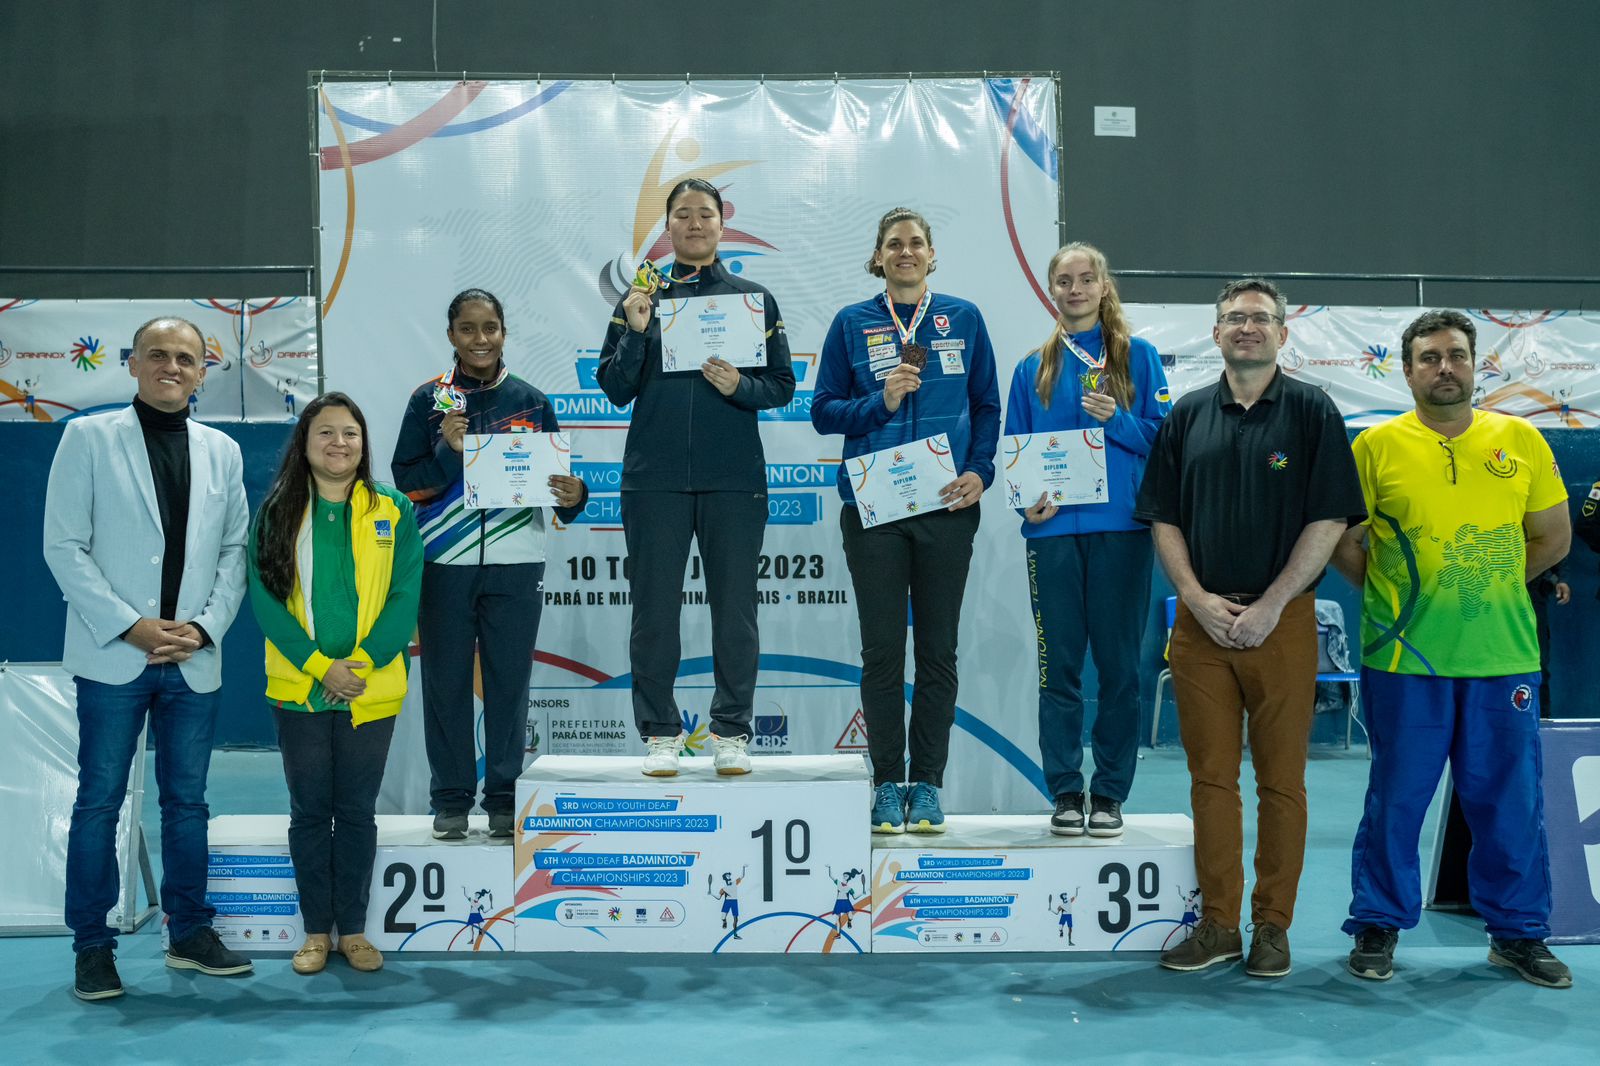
1007,884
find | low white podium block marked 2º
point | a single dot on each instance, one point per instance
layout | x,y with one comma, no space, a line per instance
426,896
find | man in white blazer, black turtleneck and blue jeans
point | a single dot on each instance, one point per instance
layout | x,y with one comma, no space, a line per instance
145,532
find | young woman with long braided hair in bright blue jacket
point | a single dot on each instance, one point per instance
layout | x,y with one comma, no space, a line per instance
1089,566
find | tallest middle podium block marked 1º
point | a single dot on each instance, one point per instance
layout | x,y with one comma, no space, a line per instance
769,862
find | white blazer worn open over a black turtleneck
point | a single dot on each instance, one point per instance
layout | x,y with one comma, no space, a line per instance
105,545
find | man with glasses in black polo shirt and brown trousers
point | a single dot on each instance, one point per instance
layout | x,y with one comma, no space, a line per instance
1249,487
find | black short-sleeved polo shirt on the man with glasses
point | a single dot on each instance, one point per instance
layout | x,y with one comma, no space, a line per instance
1244,484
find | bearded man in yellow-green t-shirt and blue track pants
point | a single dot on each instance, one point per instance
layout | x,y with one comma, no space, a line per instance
1465,508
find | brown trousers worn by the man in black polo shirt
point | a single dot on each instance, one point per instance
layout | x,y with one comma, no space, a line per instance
1215,686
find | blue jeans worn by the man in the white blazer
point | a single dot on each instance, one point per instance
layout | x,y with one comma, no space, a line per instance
110,723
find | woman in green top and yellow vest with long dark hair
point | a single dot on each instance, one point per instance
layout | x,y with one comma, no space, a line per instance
335,577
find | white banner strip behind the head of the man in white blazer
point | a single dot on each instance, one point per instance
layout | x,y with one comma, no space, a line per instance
65,358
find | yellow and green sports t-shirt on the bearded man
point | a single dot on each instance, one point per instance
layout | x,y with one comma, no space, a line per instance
1446,550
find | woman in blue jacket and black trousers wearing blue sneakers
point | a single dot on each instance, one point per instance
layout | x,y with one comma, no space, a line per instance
900,367
